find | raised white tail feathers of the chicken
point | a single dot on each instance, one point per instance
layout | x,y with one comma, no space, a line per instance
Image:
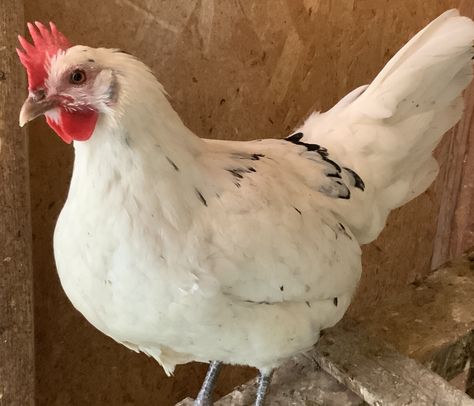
388,133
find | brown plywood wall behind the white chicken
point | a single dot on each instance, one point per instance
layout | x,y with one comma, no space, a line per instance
235,70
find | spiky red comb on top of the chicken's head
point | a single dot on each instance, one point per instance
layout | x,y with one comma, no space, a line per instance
35,57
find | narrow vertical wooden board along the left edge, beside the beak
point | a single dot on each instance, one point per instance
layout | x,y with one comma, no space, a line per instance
16,288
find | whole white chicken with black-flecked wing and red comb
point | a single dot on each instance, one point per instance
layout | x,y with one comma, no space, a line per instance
190,249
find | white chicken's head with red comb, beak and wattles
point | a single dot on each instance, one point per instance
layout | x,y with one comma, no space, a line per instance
70,85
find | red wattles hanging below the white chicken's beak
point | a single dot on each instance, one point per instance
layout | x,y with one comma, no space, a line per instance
75,126
